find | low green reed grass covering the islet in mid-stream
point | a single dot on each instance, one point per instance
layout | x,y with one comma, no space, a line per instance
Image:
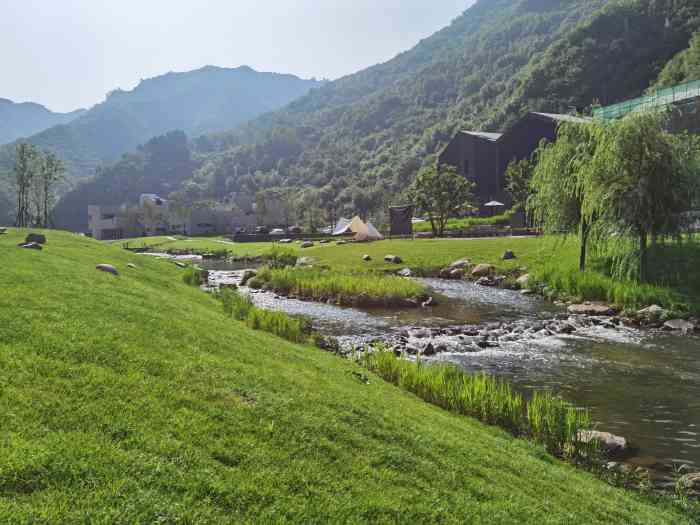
366,289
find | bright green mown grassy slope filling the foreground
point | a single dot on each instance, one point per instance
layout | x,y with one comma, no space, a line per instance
133,399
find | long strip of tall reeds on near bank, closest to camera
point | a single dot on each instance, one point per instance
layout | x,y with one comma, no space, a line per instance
544,418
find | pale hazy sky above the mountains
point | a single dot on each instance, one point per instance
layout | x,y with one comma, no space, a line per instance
67,54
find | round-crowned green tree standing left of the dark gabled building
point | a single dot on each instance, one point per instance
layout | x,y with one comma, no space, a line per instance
441,193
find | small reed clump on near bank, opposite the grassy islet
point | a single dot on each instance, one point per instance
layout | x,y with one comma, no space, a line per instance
241,308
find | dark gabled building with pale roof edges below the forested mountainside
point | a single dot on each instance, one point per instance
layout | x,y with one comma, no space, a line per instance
484,157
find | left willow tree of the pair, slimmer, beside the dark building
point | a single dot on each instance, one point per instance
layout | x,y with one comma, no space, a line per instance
560,181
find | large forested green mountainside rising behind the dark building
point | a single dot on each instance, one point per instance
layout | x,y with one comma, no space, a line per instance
361,139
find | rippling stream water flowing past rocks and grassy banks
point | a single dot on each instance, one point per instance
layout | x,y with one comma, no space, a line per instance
642,385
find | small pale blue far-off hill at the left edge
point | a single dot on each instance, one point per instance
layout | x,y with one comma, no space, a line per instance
19,120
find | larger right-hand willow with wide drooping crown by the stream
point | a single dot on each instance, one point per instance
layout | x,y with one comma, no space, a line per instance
641,180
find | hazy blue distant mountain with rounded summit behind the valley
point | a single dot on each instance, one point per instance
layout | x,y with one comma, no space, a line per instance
208,100
